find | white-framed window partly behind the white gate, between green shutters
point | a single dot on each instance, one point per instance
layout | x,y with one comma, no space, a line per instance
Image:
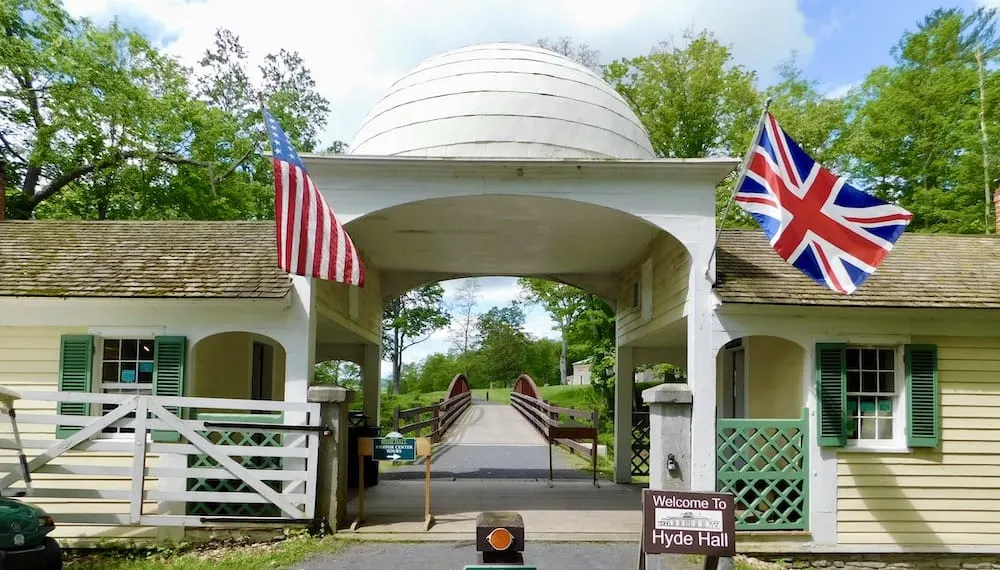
125,366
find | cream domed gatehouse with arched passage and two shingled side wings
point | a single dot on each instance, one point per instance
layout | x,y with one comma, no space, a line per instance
873,419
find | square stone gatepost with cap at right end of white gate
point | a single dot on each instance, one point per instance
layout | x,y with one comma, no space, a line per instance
331,478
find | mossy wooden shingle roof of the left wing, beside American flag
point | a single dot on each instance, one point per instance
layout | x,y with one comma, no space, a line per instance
140,259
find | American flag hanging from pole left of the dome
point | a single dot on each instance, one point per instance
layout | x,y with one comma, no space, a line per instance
311,242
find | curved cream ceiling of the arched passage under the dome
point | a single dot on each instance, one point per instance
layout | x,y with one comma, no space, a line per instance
501,235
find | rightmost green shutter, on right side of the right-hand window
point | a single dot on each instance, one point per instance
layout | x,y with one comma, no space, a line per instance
923,402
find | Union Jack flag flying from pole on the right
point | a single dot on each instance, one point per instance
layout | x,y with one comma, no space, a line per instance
830,230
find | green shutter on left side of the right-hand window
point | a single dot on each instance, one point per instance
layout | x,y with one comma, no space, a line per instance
832,391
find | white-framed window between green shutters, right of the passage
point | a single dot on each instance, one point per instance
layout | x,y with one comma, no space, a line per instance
875,396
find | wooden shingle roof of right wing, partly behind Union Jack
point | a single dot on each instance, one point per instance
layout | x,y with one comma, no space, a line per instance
922,271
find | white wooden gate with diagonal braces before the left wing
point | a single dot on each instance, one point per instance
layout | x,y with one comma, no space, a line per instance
253,458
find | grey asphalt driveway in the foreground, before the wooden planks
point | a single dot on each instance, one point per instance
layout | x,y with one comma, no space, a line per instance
447,556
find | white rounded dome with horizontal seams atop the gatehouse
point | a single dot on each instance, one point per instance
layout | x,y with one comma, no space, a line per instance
502,100
